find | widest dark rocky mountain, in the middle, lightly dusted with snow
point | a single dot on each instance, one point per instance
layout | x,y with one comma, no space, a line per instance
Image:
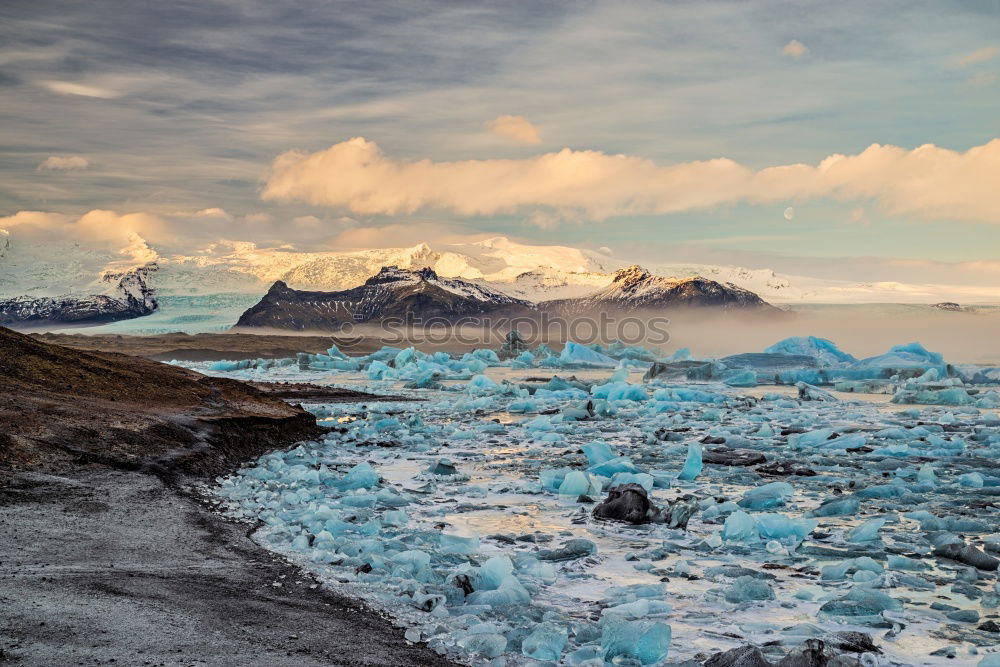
391,293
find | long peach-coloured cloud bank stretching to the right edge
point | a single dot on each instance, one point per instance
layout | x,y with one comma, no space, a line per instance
927,182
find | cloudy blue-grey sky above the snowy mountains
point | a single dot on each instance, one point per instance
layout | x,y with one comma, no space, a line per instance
844,140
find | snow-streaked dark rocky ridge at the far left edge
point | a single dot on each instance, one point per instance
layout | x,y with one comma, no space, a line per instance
128,295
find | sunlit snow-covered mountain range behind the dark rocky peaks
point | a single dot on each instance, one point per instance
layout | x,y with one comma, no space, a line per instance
532,272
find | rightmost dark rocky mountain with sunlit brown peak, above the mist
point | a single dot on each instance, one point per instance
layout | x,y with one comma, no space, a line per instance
635,288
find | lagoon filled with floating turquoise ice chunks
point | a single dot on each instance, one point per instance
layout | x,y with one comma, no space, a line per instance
864,517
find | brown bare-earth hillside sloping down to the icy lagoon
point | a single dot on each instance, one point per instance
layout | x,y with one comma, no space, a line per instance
60,405
